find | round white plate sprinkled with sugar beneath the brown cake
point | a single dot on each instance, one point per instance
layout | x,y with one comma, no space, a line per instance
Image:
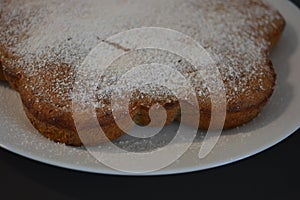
277,121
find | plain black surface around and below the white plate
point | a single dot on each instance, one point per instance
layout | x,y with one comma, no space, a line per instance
274,173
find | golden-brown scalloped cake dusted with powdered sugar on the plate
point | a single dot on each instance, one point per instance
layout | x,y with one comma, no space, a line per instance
43,44
